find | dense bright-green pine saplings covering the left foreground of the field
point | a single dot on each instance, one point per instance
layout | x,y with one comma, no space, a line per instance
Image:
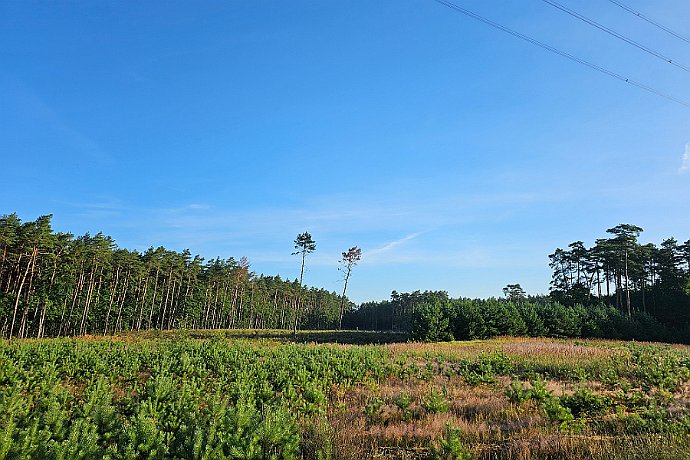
169,399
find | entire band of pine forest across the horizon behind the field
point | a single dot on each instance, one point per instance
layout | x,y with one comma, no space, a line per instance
56,284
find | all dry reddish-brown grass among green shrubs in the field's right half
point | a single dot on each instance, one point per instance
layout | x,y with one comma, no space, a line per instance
491,426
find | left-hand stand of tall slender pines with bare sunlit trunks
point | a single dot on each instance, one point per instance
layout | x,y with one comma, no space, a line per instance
56,284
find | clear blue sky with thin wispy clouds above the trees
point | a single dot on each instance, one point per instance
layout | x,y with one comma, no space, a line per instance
456,156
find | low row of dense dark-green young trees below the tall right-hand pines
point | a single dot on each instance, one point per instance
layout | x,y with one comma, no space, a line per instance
433,316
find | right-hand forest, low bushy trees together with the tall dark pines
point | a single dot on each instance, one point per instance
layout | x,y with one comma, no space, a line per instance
618,289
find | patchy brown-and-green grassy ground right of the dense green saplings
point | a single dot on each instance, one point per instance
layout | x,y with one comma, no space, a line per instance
523,398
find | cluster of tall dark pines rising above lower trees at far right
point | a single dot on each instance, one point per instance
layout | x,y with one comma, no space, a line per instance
622,272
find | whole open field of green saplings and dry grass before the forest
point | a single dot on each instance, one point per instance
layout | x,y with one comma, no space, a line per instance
247,394
